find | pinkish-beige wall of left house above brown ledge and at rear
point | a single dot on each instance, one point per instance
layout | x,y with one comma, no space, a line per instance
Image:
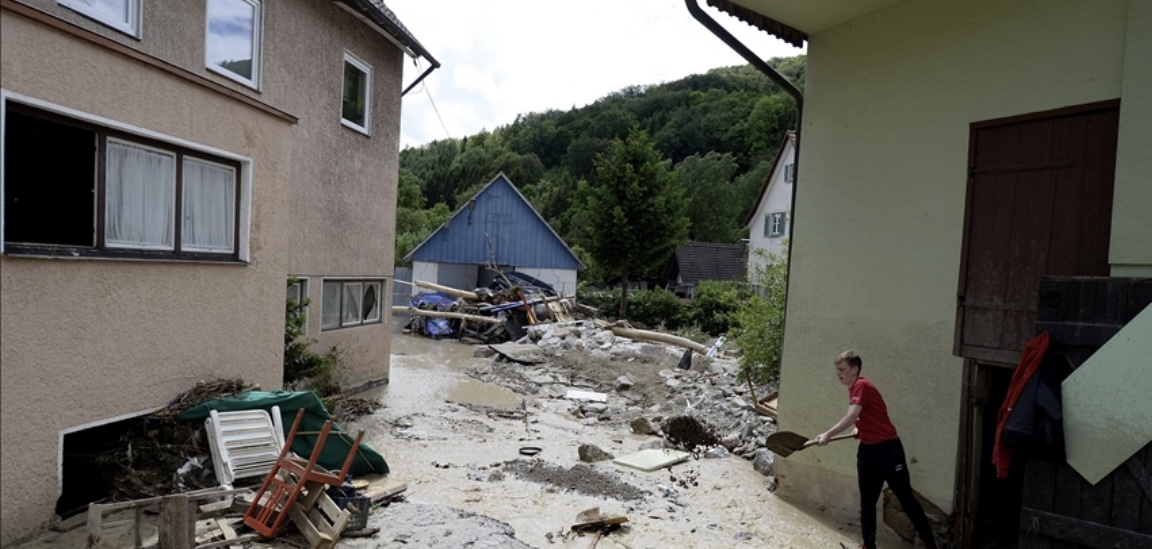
344,184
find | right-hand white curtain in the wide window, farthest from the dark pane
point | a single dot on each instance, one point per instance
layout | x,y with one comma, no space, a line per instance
210,208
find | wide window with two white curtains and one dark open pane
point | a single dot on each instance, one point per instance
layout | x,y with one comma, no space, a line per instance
77,189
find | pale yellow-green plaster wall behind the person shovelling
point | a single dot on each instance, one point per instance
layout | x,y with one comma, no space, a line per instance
889,102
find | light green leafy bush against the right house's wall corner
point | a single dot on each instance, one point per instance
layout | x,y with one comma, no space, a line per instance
759,329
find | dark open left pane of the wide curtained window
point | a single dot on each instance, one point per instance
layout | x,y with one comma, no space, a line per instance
50,182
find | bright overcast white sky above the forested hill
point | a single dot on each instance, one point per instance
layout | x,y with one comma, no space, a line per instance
503,58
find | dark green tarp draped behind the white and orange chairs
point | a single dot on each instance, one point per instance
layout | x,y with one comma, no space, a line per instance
336,448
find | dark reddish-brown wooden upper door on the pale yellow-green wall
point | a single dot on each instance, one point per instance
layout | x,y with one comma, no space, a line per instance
1040,203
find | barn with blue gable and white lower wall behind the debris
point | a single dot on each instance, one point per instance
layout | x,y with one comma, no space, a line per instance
497,227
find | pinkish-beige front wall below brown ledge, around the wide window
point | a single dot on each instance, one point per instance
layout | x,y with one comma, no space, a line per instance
90,340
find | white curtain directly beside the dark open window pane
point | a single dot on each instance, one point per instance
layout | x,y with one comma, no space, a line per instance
141,192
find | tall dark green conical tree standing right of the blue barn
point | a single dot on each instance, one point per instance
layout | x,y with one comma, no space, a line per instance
636,219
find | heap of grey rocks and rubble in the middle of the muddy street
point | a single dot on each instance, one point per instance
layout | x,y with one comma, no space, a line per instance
704,409
